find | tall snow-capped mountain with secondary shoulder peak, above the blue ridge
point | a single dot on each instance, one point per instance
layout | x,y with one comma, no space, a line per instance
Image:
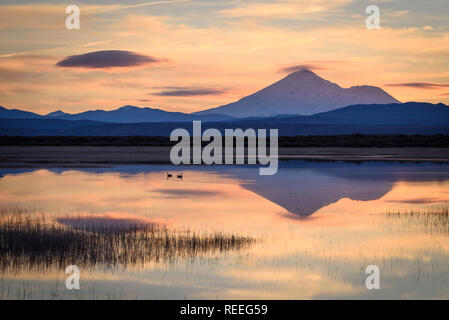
302,92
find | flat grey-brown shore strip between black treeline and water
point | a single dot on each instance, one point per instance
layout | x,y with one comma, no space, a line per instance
88,156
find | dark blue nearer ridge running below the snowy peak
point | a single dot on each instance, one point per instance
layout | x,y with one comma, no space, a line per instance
396,118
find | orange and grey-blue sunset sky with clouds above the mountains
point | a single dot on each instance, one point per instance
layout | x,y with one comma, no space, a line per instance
189,55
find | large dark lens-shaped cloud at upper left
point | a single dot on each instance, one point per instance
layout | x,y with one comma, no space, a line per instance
107,59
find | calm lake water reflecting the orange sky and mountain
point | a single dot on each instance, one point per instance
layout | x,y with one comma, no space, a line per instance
318,225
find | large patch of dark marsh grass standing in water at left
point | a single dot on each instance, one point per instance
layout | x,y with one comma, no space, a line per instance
30,241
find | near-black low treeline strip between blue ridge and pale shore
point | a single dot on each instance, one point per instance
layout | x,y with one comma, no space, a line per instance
353,140
